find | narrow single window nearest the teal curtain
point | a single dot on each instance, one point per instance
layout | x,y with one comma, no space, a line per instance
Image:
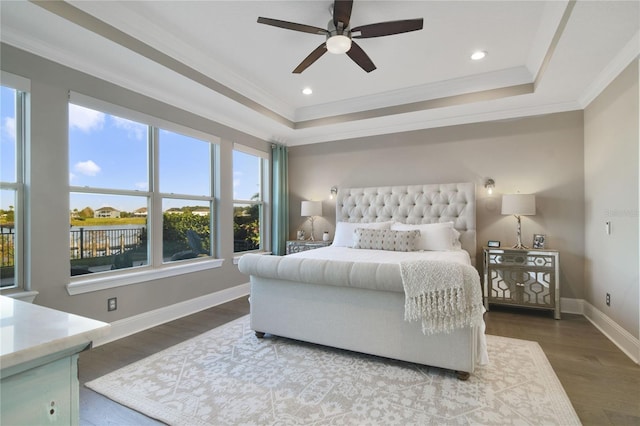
248,199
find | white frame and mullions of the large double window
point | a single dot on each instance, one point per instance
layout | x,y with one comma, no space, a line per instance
156,267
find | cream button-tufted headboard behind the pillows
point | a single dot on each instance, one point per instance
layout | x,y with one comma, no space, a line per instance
414,204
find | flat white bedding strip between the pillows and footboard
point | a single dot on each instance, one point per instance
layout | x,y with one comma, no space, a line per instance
382,256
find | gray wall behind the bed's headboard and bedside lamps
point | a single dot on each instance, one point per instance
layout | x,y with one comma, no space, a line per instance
541,155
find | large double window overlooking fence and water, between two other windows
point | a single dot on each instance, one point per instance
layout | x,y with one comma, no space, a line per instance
126,175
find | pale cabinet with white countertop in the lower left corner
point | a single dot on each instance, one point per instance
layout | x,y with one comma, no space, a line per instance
39,363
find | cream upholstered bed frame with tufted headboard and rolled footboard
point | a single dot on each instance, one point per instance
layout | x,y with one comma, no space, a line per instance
368,320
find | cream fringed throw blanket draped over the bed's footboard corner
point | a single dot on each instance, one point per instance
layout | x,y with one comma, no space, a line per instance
443,295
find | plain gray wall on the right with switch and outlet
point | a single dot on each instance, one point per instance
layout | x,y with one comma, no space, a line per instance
611,194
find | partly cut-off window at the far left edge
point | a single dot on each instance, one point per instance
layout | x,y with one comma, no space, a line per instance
13,111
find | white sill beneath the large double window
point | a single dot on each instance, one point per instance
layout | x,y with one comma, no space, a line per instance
111,281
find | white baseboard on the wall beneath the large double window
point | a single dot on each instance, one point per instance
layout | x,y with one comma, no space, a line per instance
128,326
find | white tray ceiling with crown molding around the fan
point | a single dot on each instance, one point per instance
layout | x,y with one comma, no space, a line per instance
213,59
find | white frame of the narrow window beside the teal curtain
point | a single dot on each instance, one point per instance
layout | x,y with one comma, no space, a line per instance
264,180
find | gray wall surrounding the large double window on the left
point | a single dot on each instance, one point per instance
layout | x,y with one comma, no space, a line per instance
48,194
